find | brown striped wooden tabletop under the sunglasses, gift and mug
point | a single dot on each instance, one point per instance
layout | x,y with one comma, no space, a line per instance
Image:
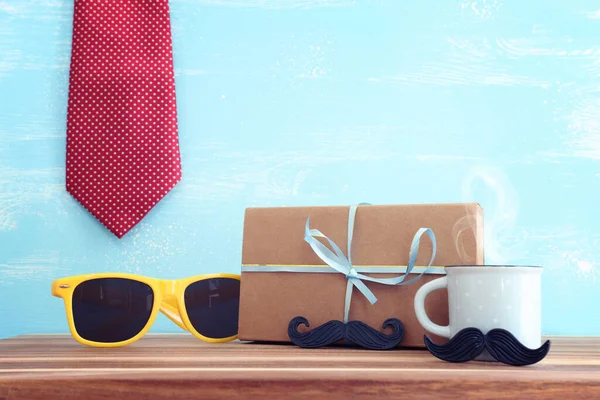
180,366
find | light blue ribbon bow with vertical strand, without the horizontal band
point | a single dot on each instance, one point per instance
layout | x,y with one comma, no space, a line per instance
339,262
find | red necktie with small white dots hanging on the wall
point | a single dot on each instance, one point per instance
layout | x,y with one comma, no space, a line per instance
122,143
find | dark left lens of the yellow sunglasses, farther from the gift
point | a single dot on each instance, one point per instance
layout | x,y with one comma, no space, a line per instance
110,310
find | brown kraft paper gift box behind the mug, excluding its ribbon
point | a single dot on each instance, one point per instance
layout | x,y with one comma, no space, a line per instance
382,236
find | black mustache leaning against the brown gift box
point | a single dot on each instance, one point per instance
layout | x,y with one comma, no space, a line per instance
356,332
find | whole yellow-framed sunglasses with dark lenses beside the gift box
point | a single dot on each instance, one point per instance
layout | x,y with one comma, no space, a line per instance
115,309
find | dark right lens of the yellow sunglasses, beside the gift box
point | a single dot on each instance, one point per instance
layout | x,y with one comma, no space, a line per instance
213,307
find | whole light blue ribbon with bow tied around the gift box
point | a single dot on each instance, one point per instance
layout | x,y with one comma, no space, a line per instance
338,262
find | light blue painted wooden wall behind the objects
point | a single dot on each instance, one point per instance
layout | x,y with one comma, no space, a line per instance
298,102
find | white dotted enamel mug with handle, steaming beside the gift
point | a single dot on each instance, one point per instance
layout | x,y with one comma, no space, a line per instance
488,297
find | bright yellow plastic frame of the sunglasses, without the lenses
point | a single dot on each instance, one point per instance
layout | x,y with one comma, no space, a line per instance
168,299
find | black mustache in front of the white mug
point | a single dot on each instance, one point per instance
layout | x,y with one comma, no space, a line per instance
501,344
